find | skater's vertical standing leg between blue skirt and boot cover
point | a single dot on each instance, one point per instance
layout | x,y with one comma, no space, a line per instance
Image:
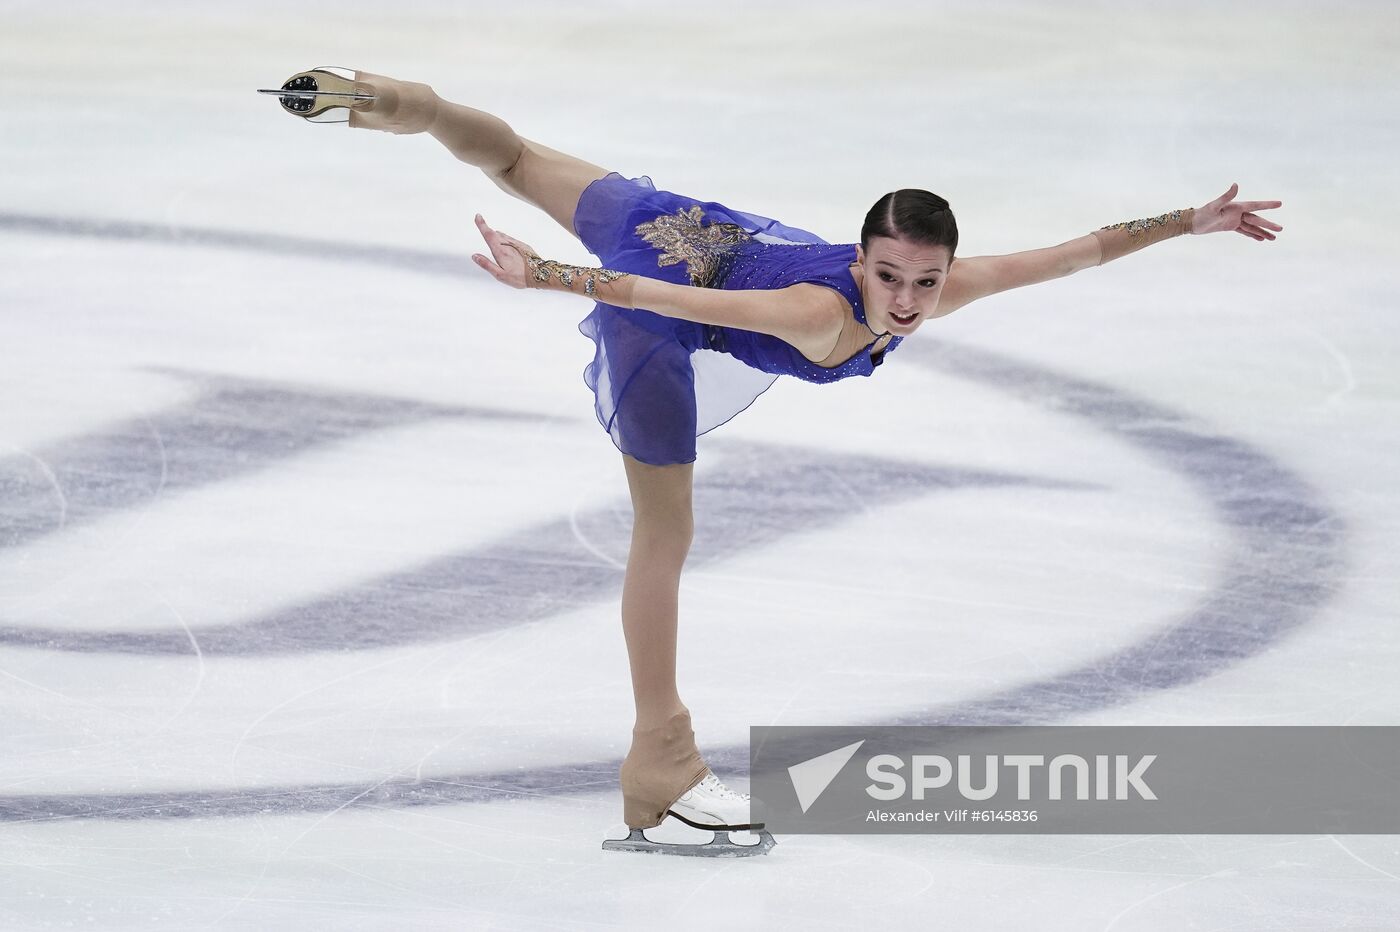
661,535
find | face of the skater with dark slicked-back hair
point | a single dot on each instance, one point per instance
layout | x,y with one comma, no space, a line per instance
902,283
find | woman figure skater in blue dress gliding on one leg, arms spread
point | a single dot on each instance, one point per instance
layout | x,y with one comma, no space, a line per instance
698,310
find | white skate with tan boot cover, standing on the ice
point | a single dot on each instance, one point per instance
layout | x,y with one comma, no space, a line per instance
664,776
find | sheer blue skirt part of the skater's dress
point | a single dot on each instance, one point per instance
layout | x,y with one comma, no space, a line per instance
656,384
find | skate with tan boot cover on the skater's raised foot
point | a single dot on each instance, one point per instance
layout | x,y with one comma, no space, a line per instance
365,100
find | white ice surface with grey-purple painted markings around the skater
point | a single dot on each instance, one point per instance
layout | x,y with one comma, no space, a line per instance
311,546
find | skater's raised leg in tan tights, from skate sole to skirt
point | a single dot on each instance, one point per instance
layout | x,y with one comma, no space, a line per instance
537,174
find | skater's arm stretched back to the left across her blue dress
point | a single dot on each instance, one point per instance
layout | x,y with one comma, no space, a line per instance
799,314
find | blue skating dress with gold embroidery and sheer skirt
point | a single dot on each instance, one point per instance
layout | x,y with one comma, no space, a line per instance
660,383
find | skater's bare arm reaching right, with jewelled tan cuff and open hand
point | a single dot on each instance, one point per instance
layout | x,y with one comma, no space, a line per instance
982,276
